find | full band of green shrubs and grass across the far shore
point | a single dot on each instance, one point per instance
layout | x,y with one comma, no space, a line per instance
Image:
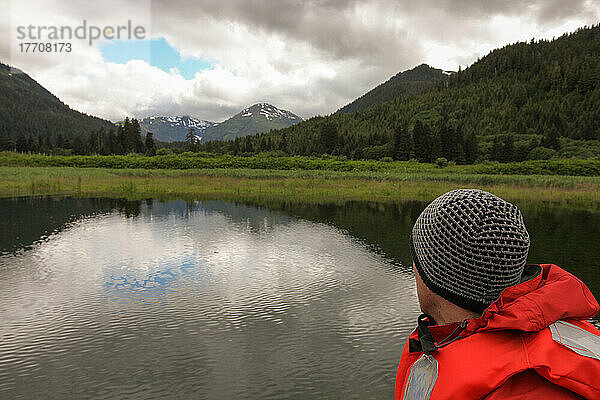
567,183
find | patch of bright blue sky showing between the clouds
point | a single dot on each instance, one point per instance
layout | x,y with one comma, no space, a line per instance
156,52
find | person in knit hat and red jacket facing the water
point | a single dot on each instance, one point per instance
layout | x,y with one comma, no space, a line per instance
494,327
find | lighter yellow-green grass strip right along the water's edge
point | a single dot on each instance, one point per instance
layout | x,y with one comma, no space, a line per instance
308,186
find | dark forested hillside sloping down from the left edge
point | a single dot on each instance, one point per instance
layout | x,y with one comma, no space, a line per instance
26,107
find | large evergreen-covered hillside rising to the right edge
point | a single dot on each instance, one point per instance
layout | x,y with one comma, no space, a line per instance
526,100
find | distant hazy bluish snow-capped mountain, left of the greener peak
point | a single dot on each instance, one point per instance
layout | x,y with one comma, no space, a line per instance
174,129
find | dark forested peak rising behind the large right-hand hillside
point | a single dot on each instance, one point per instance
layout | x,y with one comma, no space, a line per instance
413,81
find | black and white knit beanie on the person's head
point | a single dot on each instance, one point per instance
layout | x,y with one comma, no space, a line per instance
468,246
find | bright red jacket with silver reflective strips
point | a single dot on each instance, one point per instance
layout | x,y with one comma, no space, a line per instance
512,351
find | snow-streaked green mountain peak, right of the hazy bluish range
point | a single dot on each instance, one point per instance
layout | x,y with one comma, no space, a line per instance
261,117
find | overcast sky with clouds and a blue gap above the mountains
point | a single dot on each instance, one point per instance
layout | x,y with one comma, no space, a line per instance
210,59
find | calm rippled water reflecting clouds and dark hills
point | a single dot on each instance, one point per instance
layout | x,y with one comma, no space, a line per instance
115,299
